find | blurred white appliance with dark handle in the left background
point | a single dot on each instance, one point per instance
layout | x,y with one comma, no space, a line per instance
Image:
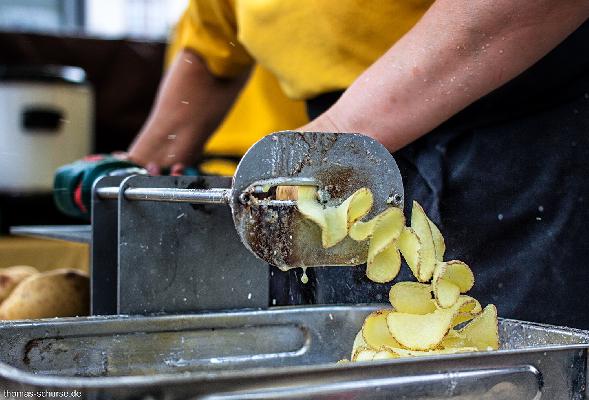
46,120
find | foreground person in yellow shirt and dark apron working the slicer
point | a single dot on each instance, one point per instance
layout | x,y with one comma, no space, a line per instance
484,105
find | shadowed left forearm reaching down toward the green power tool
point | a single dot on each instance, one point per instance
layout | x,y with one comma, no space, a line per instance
191,102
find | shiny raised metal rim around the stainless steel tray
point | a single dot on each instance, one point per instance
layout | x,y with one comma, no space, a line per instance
145,381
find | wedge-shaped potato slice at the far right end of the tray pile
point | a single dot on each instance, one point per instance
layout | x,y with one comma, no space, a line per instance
482,332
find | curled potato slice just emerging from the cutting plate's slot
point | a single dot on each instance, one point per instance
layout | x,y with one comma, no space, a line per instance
333,221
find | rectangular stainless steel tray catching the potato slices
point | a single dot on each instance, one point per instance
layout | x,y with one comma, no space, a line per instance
285,352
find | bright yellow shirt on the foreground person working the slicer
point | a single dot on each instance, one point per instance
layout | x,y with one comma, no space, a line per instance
310,46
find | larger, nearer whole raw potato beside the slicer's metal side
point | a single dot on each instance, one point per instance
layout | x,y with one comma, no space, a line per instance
59,293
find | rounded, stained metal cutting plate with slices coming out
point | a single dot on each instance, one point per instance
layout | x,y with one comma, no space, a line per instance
338,164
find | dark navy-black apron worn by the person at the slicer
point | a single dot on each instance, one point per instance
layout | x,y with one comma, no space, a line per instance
507,182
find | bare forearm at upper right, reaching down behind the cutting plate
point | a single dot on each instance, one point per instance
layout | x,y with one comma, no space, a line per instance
458,52
